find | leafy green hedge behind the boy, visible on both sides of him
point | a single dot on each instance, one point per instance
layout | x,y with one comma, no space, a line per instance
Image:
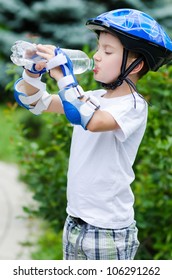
44,149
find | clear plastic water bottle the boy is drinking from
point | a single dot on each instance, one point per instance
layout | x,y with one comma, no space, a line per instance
24,53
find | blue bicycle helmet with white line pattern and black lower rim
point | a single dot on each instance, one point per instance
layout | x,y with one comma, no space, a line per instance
137,32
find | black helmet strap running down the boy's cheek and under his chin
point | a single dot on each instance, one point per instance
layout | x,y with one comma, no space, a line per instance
124,73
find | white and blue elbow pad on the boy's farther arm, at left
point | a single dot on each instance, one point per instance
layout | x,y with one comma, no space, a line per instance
42,97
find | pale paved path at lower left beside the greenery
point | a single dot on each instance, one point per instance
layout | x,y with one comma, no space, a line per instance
15,227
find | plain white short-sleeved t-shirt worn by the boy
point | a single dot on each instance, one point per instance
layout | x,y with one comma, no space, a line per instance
100,165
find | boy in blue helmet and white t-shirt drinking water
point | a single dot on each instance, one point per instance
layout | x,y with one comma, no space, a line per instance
108,127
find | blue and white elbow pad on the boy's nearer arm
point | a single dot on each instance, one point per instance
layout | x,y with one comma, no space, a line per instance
78,112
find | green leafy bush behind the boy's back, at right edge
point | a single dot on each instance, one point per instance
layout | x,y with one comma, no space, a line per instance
153,167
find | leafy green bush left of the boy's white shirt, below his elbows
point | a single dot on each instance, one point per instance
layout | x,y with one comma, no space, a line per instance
44,165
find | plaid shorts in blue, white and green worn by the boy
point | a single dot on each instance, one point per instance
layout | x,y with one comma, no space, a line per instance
82,241
